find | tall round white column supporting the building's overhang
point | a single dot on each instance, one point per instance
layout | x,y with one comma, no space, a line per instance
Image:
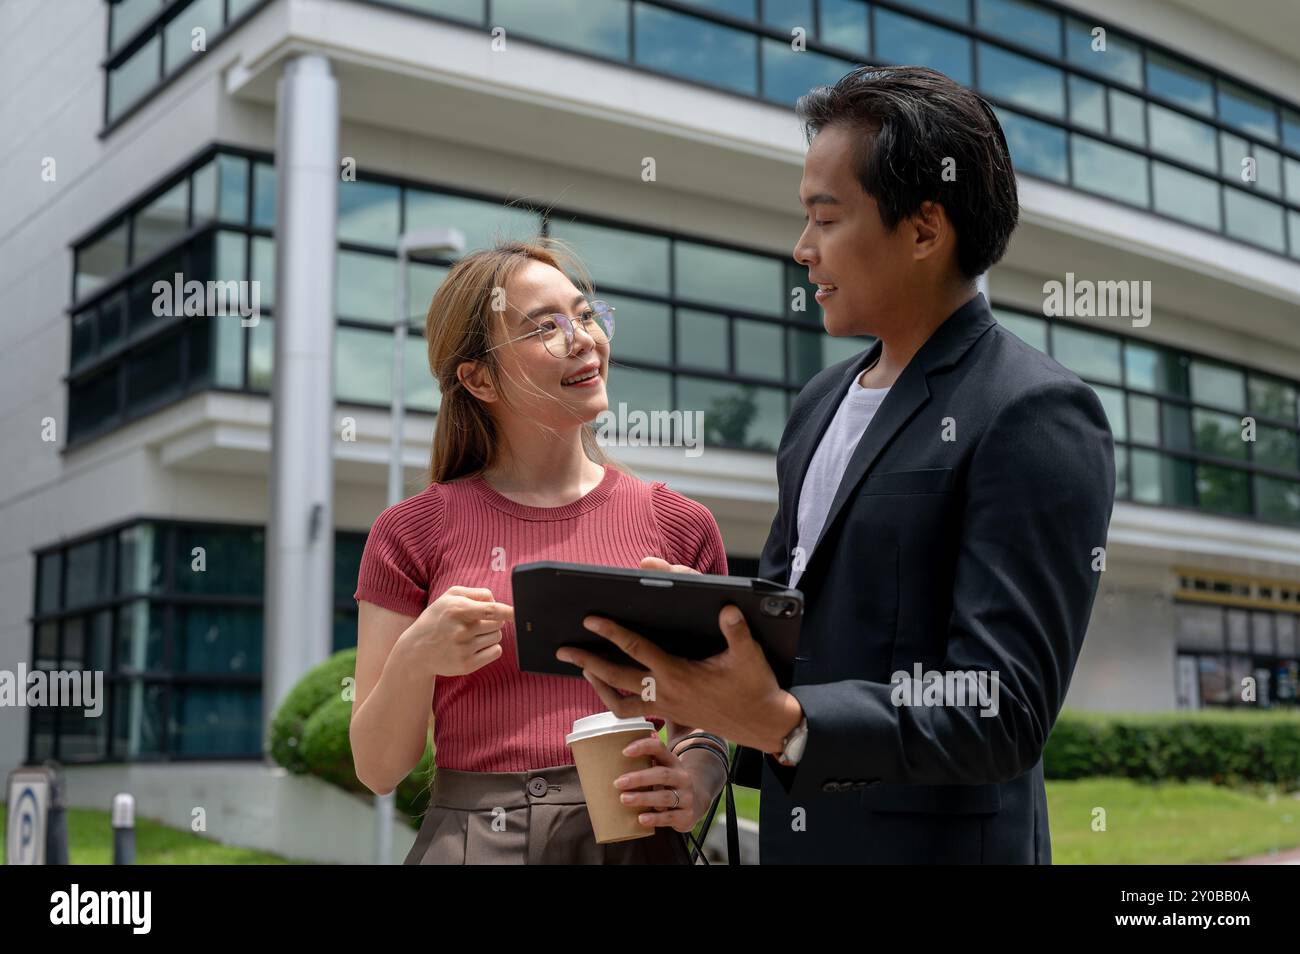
301,530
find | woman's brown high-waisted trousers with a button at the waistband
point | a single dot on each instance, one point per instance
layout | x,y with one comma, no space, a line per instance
526,818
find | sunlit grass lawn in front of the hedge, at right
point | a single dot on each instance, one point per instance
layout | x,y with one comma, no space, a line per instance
1167,823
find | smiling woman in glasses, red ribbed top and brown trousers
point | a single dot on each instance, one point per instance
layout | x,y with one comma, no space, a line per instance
521,355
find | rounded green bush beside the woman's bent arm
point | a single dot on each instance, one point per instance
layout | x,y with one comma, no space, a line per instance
310,736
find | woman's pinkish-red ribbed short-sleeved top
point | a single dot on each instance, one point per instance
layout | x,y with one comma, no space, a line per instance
500,719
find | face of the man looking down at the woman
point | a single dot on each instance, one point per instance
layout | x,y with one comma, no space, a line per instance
863,268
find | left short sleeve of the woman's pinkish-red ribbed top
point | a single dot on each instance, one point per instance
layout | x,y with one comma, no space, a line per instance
397,563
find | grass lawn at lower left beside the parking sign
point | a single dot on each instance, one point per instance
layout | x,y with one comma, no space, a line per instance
90,839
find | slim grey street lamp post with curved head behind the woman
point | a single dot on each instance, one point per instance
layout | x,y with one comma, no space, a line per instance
448,244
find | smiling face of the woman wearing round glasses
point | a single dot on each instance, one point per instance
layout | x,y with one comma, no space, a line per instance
552,391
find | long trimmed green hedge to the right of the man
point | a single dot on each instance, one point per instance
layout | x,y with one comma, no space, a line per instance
1224,747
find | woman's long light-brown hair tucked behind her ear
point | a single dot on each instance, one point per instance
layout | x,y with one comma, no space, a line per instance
460,328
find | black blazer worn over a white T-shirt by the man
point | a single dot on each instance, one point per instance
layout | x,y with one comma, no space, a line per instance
963,537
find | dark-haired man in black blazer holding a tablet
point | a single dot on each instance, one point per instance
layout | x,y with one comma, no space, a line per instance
943,505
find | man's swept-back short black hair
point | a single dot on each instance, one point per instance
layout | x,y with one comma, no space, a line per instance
912,119
